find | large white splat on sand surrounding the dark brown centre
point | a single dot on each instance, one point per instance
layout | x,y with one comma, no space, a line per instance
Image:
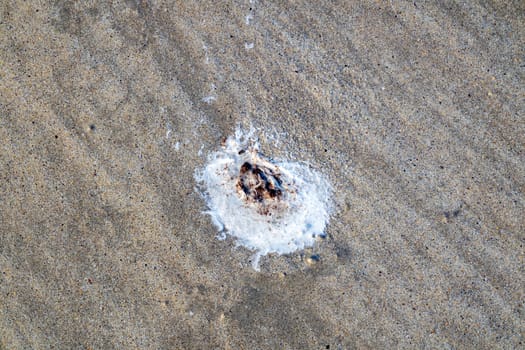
292,222
